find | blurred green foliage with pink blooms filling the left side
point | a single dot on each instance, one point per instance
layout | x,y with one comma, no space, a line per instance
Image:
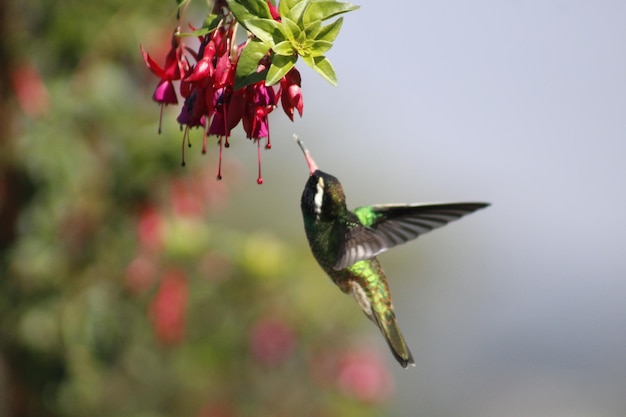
118,293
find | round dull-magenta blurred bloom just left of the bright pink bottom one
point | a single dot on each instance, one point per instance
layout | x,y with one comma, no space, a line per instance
271,341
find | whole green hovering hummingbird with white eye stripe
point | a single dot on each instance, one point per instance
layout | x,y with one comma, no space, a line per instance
345,243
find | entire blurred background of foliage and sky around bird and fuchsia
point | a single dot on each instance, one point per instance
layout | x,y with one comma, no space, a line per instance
131,286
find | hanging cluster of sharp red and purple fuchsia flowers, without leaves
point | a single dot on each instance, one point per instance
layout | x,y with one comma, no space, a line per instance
208,88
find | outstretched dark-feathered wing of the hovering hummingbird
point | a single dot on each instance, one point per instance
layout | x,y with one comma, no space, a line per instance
384,226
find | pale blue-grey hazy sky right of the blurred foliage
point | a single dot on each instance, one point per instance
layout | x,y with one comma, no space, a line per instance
519,309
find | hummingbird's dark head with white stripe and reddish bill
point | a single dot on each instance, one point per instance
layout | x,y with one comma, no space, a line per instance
323,196
